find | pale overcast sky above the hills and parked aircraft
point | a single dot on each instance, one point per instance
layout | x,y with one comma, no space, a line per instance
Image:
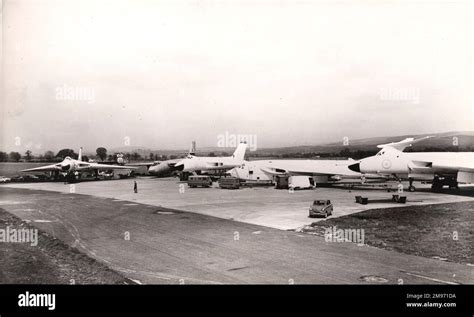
163,73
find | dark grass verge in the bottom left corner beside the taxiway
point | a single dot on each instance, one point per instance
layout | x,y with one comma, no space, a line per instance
50,262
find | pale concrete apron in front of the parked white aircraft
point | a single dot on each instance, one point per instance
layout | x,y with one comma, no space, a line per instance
265,206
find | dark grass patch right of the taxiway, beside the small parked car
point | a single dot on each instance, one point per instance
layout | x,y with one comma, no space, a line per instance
442,231
